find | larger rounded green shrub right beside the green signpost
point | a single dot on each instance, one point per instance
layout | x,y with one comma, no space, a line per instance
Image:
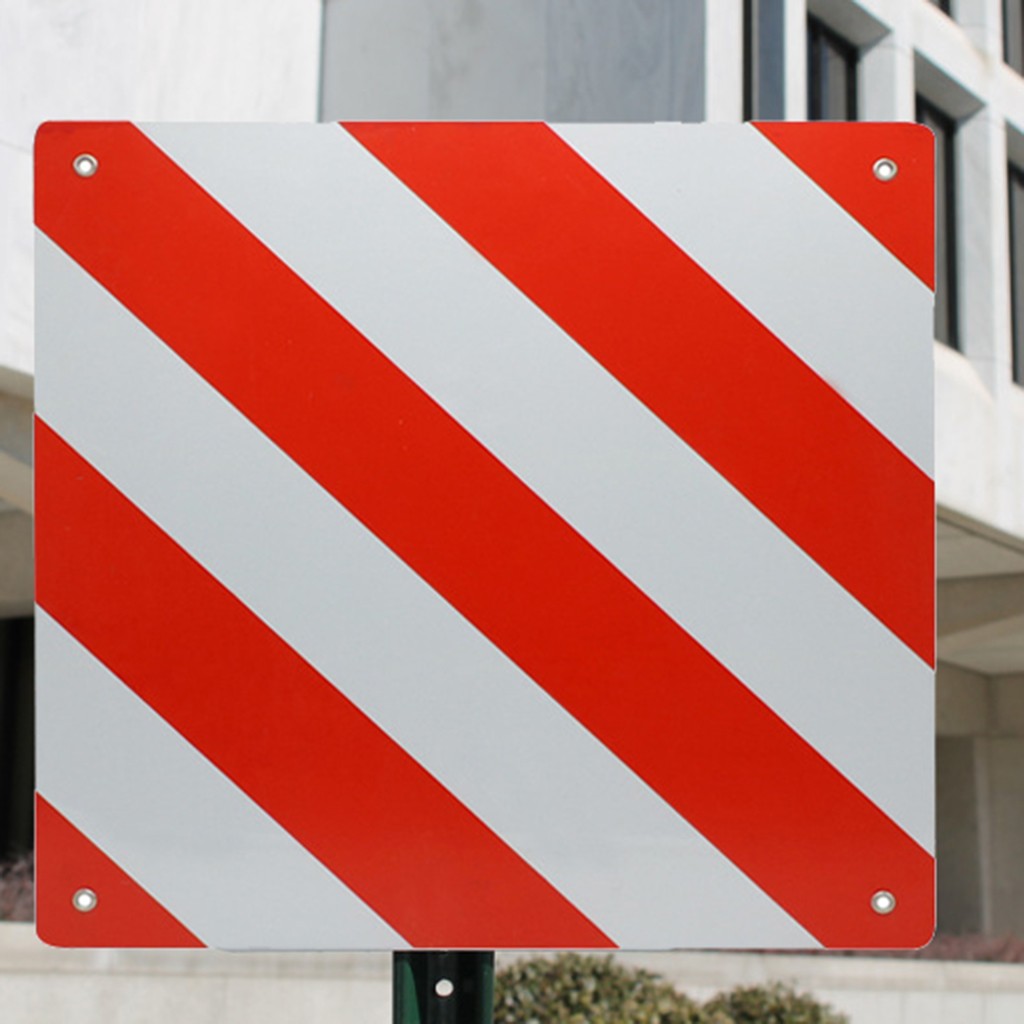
575,990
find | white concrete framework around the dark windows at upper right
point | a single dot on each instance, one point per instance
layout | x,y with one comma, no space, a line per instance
909,47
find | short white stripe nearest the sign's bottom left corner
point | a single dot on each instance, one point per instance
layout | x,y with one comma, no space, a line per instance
195,841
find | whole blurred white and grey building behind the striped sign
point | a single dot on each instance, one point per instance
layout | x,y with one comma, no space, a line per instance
956,66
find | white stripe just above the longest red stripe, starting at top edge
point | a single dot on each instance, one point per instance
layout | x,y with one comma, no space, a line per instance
508,374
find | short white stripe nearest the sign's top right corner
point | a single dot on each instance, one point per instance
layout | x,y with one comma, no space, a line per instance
846,306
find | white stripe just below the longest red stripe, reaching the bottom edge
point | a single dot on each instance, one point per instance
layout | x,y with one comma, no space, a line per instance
360,616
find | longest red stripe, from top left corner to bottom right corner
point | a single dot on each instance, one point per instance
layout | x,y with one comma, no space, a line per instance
224,303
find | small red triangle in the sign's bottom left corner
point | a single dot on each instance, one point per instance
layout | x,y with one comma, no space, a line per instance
125,914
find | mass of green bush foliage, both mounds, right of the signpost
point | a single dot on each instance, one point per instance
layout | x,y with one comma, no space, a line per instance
575,990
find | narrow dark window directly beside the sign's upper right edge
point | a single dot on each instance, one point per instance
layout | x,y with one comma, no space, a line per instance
947,328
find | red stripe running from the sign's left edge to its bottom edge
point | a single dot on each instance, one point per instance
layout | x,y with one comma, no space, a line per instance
330,777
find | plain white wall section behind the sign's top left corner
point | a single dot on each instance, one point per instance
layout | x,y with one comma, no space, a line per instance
143,60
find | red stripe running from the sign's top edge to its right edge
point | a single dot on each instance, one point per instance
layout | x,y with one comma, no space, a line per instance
688,350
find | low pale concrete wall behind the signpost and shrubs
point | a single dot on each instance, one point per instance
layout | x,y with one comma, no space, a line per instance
38,985
